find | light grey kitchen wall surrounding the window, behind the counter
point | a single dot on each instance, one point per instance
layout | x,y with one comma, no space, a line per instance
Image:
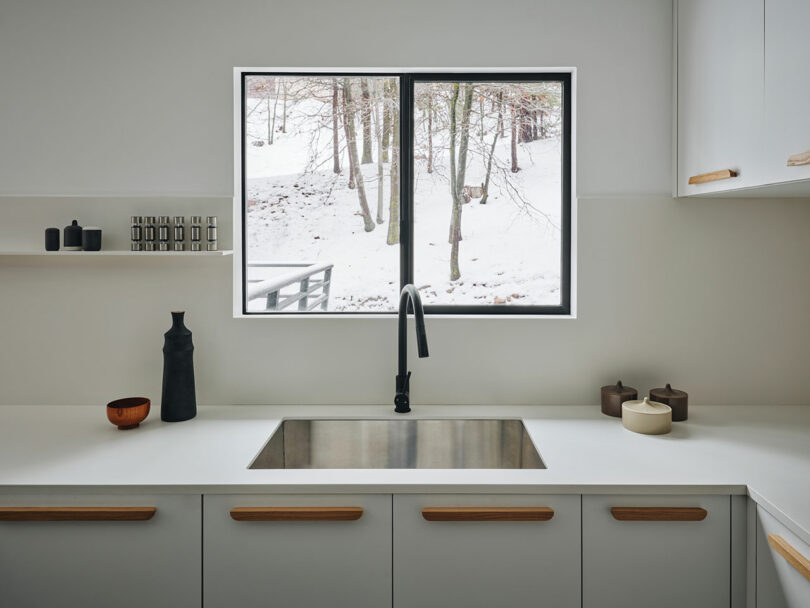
131,102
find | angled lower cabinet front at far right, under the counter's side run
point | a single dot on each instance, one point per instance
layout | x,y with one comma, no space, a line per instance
780,584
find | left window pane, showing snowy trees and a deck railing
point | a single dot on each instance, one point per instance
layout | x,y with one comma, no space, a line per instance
322,209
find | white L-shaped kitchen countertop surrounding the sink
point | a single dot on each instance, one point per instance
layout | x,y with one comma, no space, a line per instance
762,451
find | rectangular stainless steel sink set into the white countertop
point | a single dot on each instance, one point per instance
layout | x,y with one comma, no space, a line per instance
452,443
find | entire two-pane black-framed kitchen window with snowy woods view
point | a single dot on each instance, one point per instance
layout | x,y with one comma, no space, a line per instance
350,185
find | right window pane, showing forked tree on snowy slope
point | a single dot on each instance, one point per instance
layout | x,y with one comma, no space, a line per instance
494,236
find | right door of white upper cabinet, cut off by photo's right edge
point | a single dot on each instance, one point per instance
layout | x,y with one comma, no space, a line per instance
787,87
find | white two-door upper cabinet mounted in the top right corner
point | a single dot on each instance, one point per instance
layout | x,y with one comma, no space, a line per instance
743,71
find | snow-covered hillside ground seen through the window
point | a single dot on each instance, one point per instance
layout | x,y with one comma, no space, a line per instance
299,210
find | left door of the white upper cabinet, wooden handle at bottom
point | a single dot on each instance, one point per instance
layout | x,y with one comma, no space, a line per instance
720,92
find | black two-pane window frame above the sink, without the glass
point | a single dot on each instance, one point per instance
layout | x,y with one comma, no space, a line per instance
407,81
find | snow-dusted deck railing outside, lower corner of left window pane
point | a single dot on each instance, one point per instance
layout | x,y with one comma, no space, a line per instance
311,292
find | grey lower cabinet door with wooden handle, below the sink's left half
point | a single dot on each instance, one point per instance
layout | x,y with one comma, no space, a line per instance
297,551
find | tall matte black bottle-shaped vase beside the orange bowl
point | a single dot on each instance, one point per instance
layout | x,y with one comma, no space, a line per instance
179,401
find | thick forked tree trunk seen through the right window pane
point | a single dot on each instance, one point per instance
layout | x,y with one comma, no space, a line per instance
457,174
